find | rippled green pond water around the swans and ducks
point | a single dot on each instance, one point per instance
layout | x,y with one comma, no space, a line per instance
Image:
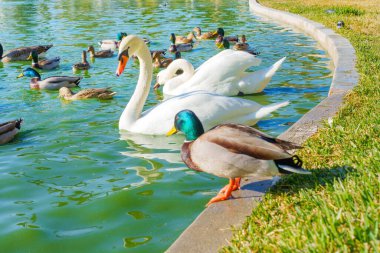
70,181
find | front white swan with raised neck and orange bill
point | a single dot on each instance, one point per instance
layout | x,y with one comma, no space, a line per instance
212,109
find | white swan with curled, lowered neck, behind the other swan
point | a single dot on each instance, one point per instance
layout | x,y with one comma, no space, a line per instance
228,75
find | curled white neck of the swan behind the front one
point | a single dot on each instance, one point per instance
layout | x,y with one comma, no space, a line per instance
188,72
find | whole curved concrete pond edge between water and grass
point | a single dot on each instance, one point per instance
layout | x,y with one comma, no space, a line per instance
213,228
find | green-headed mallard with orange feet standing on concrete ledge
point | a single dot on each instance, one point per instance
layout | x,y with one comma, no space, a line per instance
233,151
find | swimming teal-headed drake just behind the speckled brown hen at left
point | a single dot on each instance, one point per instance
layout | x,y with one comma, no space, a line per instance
50,83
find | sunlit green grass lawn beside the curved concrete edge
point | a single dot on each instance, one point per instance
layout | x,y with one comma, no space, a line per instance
337,209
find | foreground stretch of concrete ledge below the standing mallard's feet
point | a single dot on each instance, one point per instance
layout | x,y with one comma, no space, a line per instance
212,228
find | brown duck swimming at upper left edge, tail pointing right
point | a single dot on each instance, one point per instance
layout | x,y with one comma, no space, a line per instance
21,53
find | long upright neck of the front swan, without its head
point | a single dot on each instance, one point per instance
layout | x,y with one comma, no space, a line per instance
132,111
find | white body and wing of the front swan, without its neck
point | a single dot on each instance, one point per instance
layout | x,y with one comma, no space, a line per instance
210,108
